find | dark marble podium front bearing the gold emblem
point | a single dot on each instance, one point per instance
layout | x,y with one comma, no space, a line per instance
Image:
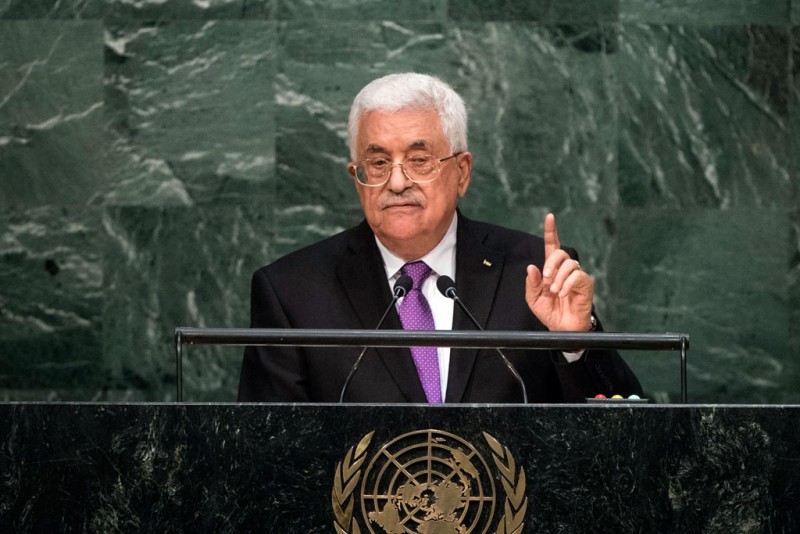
308,468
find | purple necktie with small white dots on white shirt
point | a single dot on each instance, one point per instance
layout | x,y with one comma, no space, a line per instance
415,314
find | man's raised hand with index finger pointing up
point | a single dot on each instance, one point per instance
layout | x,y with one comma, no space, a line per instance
561,294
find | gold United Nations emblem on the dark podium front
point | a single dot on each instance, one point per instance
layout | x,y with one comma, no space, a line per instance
427,482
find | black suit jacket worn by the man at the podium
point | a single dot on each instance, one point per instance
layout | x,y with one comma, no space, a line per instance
340,282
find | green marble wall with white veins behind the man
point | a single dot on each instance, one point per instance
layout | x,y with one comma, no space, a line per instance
154,153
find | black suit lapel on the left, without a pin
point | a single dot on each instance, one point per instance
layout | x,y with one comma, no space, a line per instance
363,277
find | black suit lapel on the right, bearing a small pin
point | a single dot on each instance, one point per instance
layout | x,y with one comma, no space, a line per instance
478,270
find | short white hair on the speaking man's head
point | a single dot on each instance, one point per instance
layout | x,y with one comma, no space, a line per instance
410,90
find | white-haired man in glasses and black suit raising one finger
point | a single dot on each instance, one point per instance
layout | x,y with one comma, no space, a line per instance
410,165
